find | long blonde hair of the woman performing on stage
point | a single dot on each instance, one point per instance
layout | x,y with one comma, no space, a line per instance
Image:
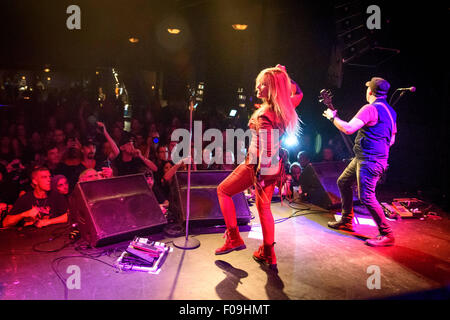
279,99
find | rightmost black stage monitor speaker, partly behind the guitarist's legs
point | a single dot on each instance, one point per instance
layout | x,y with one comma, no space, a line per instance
319,183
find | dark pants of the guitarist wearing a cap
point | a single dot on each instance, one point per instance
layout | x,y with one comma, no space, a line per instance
366,174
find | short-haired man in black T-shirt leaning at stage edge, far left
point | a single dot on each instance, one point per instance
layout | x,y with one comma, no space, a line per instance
39,207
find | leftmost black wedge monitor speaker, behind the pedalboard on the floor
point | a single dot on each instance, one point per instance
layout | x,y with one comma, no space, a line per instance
115,209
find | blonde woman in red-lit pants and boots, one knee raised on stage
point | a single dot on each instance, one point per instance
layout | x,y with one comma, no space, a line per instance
280,95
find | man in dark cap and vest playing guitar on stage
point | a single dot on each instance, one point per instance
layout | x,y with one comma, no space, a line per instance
375,123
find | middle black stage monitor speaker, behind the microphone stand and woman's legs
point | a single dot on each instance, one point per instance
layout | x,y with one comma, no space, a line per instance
204,203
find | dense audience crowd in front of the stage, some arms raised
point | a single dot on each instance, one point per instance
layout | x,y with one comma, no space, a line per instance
49,145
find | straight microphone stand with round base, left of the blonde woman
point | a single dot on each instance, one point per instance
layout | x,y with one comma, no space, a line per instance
188,243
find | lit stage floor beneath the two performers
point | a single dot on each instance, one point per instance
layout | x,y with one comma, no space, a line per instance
314,262
